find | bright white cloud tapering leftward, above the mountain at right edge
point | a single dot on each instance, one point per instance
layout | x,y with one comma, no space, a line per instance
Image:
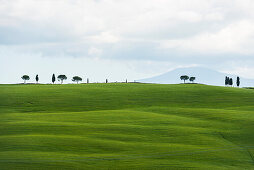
235,38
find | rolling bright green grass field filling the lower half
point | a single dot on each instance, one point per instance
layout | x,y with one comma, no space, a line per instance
126,126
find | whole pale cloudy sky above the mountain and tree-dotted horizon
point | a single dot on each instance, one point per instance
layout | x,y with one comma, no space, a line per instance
119,39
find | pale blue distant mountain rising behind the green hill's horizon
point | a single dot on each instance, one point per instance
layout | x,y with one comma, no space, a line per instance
203,76
